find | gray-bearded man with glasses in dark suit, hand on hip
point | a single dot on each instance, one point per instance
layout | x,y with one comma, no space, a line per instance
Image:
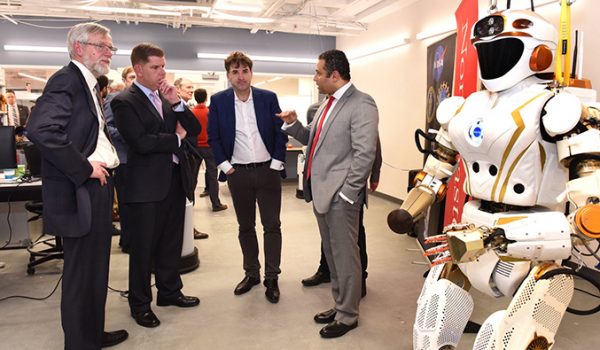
67,127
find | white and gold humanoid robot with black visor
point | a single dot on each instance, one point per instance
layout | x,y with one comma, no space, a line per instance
528,148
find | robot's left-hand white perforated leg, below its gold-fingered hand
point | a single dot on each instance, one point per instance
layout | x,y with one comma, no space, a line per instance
443,310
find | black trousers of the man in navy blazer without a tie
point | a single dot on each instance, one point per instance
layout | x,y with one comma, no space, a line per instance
249,186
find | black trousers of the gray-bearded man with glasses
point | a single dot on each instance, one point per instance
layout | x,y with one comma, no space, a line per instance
85,274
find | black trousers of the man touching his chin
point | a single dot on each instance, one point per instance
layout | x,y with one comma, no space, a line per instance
156,238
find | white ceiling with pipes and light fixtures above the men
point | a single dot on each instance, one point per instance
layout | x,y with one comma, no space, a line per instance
317,17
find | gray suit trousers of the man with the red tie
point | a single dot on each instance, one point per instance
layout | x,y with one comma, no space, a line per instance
339,234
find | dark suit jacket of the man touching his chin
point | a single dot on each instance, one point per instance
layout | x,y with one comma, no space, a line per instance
151,141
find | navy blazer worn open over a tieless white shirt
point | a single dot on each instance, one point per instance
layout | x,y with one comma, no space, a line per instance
221,125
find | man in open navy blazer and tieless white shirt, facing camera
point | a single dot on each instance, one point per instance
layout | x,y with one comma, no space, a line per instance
249,148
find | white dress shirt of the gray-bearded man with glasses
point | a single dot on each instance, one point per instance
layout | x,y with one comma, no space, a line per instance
104,152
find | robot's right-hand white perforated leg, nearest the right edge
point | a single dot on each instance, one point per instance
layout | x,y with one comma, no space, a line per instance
533,316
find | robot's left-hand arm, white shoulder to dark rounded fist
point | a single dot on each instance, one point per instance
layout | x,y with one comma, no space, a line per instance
430,183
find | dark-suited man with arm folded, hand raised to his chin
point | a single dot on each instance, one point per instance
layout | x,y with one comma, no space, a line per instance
153,121
